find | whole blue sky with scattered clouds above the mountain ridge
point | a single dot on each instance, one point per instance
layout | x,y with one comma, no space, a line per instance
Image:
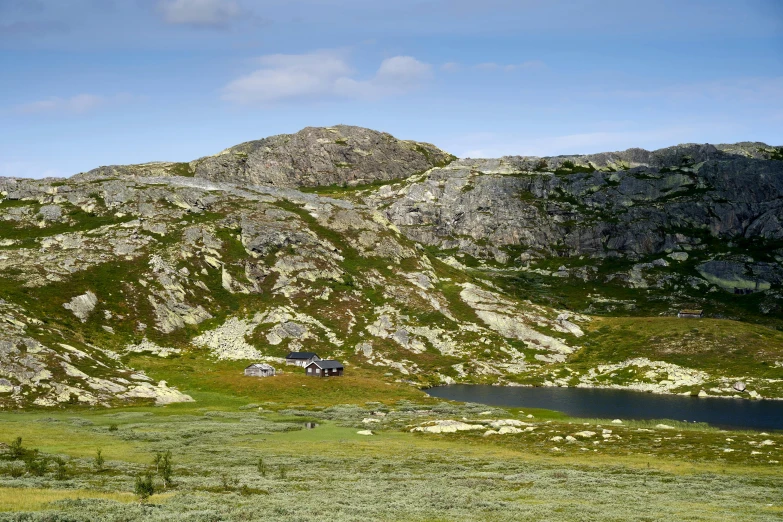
97,82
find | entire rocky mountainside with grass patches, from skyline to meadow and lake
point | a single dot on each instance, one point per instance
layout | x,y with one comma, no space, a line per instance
398,258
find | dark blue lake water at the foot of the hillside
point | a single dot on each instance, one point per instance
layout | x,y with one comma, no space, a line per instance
622,404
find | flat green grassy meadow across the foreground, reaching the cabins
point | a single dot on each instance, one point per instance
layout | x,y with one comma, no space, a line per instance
243,451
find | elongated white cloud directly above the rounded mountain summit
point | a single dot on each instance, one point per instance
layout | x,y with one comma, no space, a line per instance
323,75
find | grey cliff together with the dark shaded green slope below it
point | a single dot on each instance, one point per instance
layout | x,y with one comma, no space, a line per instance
697,217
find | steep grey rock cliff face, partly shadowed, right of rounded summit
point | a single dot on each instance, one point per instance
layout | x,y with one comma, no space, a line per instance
630,204
